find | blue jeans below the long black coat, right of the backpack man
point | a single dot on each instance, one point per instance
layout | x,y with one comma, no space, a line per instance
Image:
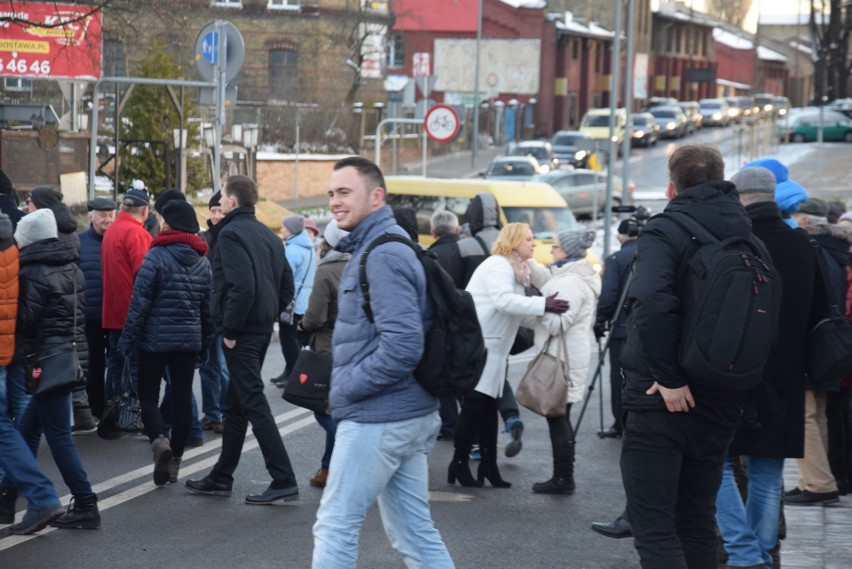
750,529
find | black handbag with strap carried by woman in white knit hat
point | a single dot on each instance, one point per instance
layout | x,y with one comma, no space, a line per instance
56,369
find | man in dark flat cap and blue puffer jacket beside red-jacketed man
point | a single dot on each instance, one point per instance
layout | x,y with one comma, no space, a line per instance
101,216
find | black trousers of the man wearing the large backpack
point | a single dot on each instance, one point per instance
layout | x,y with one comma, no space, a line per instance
671,466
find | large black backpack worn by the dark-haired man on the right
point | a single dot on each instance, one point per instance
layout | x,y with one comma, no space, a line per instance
729,309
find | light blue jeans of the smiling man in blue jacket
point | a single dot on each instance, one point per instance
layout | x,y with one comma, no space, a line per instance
384,461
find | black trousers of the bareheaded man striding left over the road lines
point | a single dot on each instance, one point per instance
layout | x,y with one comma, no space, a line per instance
246,404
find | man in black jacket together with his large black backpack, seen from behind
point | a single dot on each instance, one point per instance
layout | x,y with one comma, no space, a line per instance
680,412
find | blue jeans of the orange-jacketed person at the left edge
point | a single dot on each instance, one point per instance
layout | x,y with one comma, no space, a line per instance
16,459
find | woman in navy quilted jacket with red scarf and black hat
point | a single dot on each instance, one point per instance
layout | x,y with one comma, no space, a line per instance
168,323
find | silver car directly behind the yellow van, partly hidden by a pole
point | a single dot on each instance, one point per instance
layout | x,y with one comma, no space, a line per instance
584,190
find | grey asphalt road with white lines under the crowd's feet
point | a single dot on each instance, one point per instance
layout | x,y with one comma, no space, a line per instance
145,526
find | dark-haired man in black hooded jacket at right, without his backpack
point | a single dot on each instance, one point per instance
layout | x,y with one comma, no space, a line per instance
676,431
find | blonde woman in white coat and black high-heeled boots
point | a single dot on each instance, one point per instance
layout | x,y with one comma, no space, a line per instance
497,287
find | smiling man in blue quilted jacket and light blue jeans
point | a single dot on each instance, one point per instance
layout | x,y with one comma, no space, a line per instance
387,422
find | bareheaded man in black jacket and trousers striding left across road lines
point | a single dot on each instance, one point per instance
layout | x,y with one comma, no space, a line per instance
252,283
